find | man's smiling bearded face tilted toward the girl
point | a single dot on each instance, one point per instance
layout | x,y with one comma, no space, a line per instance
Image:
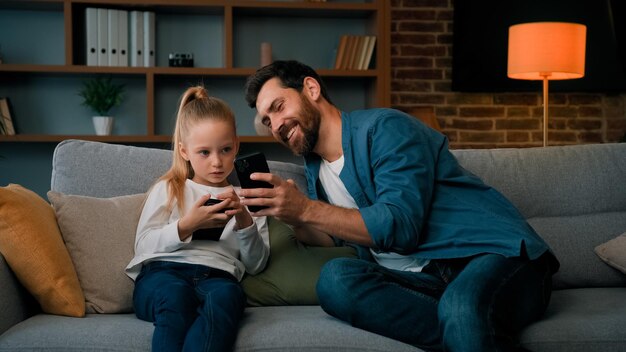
293,119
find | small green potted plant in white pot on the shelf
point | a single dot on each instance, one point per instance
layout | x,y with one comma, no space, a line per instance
101,95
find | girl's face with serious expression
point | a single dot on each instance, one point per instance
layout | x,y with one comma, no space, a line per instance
211,147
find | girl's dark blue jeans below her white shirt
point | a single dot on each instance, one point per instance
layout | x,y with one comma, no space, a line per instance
193,307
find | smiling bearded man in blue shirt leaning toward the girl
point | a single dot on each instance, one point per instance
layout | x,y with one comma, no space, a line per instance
446,262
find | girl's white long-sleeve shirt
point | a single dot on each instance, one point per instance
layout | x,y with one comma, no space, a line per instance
236,252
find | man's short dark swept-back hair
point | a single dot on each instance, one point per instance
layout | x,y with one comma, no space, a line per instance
291,74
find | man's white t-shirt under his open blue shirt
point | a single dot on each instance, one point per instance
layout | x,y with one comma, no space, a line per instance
338,195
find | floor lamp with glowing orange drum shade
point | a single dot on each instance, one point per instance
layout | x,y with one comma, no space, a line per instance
546,51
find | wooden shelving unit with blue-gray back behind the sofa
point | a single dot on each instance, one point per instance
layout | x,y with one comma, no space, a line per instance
154,88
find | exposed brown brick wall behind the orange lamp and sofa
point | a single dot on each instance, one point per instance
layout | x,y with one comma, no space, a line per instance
421,69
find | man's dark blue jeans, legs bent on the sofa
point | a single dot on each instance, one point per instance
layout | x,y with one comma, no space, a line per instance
471,304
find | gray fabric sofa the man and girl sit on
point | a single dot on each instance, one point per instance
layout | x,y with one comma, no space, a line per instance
574,196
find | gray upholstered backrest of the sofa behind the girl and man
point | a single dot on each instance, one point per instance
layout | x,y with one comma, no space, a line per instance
574,196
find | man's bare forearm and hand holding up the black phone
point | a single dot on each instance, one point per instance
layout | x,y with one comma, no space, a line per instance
312,220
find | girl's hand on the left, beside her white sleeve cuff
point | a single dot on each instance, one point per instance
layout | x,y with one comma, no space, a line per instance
201,216
